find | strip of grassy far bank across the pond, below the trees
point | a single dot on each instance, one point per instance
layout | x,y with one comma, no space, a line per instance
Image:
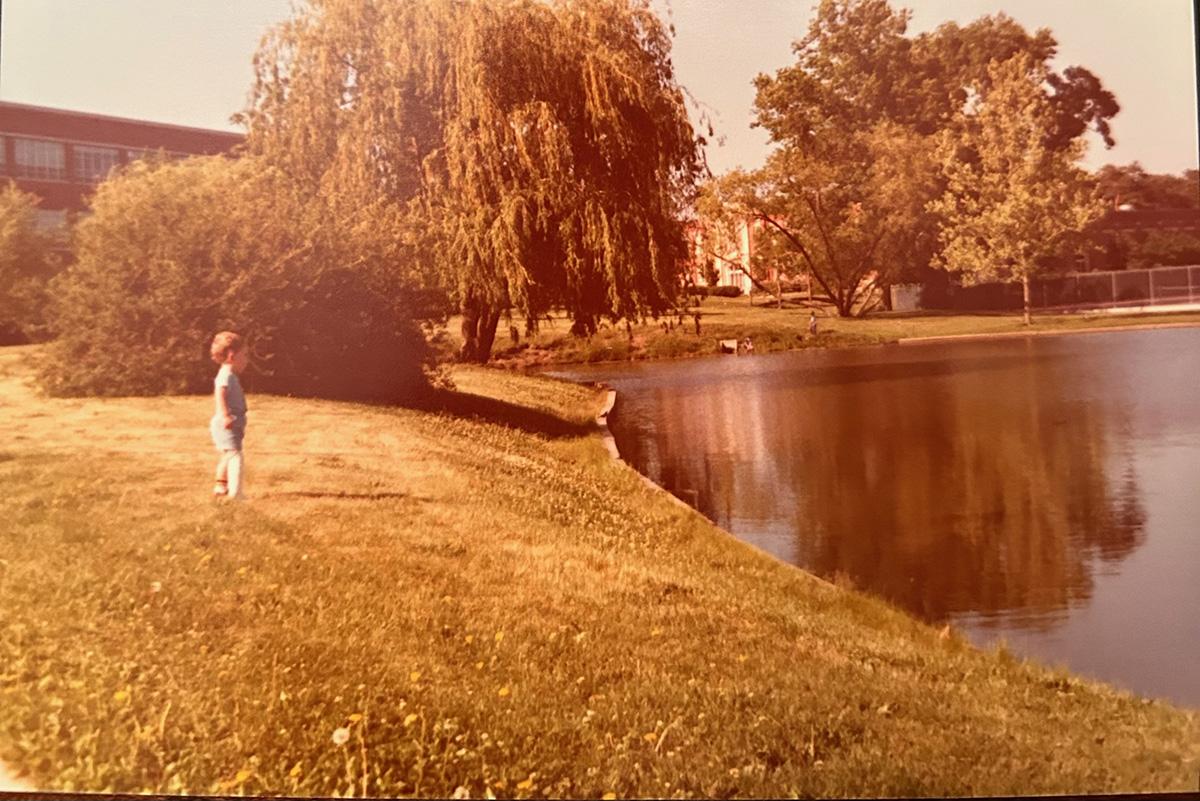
773,329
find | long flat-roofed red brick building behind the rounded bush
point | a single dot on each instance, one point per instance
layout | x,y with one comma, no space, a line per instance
61,155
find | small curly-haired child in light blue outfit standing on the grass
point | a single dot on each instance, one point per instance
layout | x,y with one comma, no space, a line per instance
229,426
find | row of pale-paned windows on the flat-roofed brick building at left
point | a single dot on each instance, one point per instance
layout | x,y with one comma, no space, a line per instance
44,160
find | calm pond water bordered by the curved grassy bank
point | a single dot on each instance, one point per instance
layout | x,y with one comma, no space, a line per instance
1043,491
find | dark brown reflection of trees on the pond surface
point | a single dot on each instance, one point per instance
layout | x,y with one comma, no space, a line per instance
983,485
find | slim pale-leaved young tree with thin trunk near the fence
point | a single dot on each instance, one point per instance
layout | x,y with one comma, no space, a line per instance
1012,197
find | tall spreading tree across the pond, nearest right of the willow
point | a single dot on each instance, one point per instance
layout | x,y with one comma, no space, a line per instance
847,186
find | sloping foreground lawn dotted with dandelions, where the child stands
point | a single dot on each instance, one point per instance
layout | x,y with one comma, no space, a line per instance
482,599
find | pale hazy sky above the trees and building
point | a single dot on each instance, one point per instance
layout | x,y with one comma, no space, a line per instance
188,62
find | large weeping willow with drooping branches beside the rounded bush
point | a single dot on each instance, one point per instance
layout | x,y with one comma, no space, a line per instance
517,154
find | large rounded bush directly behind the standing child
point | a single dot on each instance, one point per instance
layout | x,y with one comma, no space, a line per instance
176,252
